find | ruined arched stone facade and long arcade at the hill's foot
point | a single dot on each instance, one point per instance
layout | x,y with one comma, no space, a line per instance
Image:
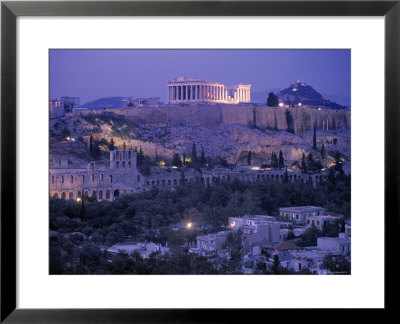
120,176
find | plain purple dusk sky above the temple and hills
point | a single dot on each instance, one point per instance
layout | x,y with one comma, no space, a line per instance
93,74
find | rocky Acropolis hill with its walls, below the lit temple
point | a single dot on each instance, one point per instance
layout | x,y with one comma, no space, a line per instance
228,131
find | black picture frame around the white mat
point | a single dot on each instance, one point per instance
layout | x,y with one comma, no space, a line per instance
10,10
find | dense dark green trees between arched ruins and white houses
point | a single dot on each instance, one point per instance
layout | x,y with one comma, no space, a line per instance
79,230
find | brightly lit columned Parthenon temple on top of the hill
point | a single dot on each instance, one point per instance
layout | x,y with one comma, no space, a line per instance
188,90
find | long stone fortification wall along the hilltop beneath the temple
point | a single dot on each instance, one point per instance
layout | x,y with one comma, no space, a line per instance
298,120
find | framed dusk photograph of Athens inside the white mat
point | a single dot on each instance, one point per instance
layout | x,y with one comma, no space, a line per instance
200,162
